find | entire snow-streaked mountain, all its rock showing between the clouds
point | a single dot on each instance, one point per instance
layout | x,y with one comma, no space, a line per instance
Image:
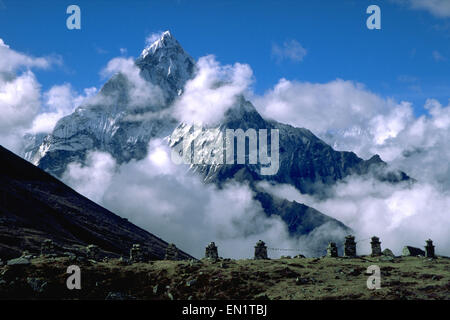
112,125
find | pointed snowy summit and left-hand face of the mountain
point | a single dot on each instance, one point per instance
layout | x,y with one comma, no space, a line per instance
110,122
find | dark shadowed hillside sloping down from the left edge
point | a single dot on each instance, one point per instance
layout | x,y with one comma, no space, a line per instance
35,206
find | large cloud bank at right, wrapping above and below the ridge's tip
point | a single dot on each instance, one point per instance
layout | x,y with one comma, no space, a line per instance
350,117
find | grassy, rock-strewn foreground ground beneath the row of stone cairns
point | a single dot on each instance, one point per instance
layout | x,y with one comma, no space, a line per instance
299,278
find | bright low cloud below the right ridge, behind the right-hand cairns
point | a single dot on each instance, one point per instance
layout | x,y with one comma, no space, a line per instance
400,215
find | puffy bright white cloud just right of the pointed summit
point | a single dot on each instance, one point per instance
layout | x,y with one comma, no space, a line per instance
212,92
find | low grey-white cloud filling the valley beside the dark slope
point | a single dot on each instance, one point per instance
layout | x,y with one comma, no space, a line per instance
176,205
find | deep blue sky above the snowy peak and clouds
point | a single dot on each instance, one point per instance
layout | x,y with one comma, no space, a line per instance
408,59
